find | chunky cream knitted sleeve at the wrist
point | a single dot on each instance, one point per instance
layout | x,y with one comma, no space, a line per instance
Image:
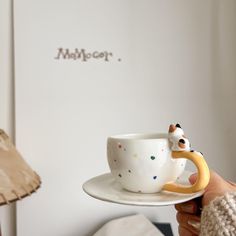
219,217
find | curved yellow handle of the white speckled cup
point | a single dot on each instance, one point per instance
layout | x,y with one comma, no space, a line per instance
202,178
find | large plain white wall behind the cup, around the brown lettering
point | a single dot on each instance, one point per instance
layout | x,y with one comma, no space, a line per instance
178,65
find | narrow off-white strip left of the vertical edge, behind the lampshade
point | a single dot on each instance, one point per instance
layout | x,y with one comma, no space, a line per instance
7,213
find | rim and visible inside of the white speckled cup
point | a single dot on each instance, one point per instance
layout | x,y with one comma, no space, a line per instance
140,136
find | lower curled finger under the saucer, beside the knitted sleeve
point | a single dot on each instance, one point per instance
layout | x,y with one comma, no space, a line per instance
188,221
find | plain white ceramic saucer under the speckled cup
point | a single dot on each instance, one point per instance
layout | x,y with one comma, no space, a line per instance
104,187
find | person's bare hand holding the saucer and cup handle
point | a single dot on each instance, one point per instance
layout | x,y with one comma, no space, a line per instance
187,212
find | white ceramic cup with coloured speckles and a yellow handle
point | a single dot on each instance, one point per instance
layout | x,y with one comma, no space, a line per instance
145,163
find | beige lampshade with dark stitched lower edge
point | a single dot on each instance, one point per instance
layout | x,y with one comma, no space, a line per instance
17,179
